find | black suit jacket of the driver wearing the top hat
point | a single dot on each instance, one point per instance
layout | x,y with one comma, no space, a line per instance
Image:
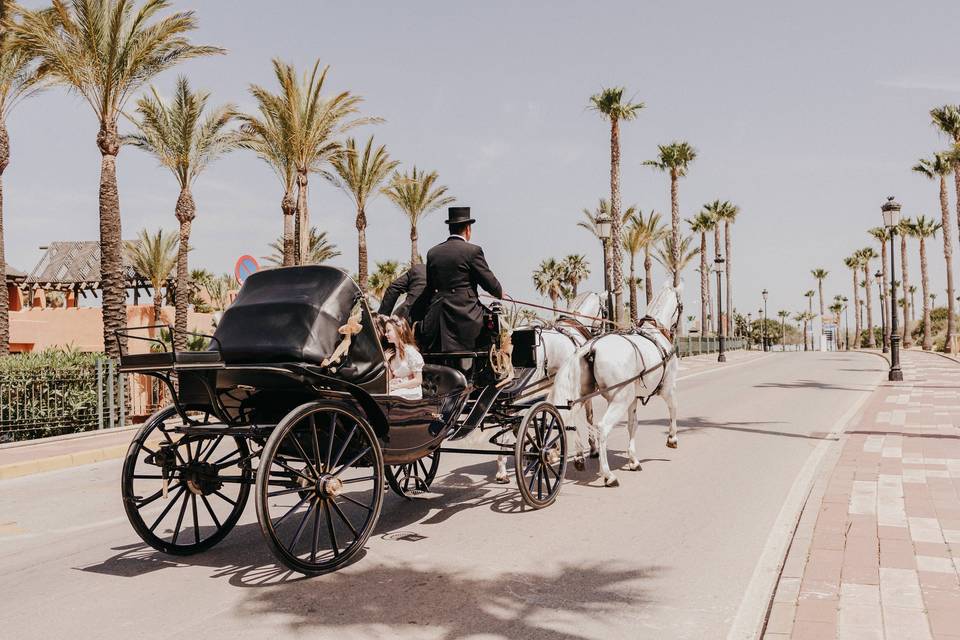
454,319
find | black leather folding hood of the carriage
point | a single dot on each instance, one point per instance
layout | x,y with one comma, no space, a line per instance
293,314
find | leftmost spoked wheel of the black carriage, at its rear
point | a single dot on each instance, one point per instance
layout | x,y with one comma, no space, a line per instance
183,493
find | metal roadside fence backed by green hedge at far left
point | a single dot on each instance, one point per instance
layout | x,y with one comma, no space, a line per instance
50,401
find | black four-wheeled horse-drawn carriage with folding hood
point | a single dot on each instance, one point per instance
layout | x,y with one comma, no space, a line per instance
317,436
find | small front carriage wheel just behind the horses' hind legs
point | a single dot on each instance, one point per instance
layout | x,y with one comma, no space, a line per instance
540,455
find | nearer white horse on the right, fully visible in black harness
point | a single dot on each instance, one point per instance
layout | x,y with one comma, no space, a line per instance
624,368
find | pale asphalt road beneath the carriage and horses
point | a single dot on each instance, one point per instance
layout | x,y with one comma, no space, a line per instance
668,554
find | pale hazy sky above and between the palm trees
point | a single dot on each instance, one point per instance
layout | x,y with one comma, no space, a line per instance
806,116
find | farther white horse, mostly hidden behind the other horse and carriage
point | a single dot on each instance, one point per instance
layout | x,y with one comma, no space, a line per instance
557,345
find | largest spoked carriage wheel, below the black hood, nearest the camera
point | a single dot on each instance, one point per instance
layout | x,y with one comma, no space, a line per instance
319,487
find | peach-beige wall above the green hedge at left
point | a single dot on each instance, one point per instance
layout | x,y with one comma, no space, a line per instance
82,328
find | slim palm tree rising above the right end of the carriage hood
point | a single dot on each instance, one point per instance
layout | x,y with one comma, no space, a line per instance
360,175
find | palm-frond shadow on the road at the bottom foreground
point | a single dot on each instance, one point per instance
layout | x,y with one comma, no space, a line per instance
405,600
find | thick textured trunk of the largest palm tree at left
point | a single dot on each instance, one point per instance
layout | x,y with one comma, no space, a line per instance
111,244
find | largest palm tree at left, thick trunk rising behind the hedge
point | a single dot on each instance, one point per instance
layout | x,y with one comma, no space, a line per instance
105,50
